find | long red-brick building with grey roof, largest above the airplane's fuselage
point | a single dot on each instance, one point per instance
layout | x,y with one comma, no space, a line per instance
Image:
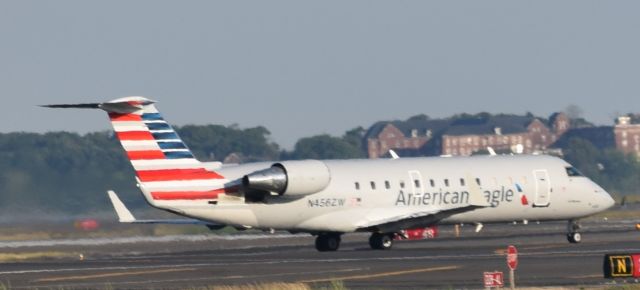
464,136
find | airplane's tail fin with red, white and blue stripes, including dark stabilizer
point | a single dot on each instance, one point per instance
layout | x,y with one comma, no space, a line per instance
166,169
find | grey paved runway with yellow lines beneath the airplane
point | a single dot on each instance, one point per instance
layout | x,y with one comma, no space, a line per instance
545,259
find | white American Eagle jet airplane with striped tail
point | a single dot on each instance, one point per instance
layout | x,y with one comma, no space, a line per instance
329,198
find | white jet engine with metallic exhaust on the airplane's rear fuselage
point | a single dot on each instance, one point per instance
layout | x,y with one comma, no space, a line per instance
290,178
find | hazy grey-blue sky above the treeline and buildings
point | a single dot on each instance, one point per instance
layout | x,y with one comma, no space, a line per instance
302,68
